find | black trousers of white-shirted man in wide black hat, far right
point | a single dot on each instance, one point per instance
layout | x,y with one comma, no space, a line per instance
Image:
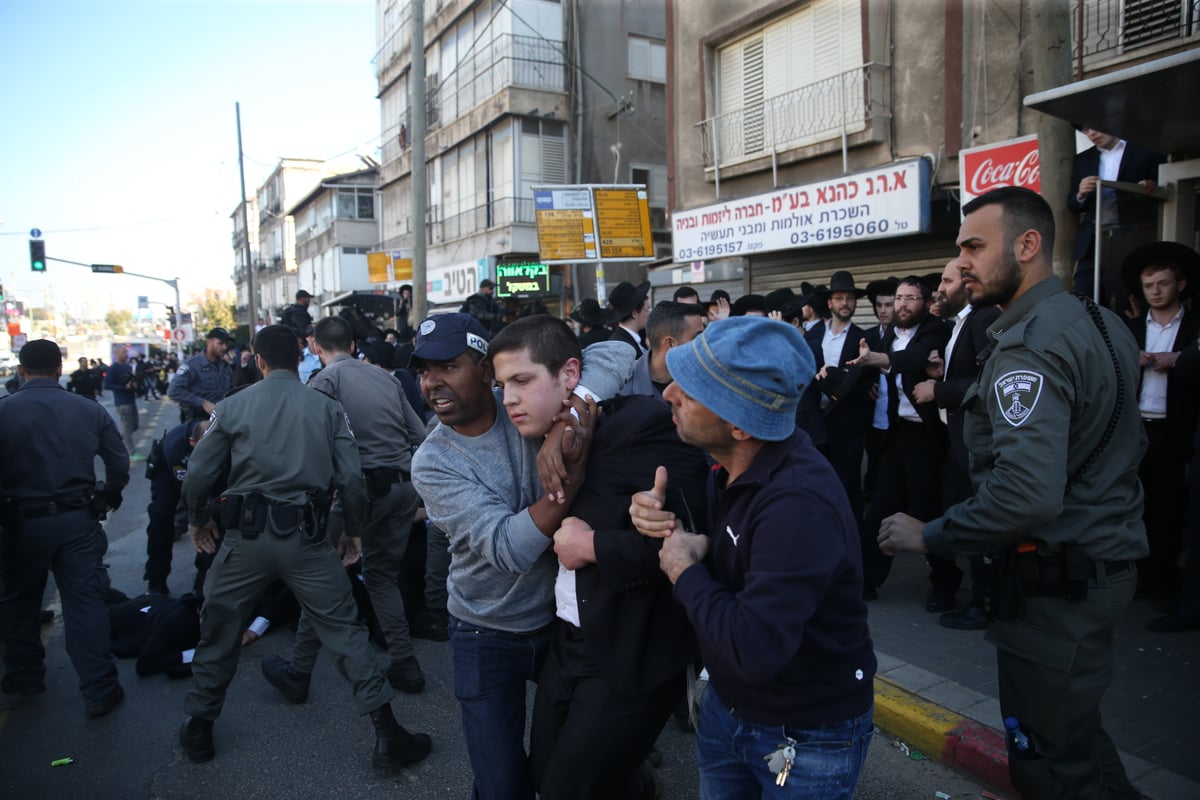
1163,474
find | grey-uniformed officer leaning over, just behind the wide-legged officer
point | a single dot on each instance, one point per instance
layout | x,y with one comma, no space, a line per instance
387,430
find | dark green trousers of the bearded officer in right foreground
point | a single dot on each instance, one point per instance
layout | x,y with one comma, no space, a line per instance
1055,664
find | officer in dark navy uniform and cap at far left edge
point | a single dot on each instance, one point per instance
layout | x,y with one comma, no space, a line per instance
50,440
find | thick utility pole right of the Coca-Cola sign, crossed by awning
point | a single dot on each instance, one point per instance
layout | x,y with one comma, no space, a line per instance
1051,23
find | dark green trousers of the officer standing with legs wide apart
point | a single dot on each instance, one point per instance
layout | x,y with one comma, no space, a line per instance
242,570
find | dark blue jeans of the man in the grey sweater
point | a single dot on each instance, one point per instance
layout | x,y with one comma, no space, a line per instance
491,670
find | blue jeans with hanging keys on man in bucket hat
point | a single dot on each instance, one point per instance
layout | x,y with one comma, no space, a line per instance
731,755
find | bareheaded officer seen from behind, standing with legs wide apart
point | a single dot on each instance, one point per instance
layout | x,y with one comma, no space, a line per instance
289,447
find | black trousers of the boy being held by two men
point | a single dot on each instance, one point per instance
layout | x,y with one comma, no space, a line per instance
589,739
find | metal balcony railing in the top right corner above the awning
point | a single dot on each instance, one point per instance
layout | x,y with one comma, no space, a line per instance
1107,29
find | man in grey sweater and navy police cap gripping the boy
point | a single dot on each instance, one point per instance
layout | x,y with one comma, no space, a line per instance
478,476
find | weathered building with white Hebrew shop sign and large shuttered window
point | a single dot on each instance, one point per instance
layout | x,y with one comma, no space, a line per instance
817,136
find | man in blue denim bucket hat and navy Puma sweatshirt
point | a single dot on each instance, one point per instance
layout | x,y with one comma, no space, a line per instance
778,604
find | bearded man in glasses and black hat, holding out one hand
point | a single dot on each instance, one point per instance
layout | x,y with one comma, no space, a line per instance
915,449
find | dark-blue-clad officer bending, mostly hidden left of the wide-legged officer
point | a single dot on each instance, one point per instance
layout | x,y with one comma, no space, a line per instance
166,468
